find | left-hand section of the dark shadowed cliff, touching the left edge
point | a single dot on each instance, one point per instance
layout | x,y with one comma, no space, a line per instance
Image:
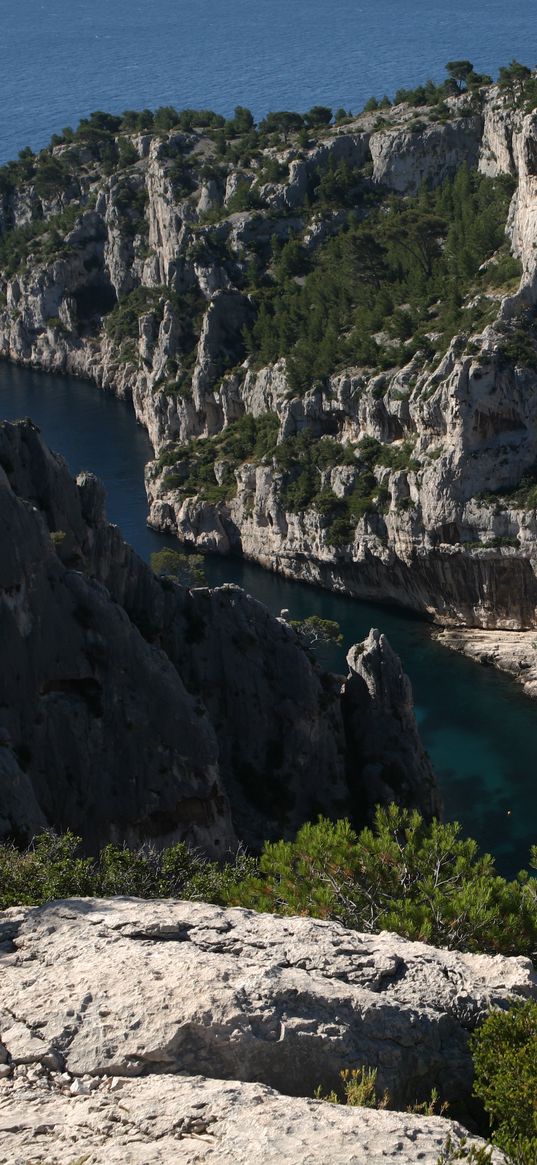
100,733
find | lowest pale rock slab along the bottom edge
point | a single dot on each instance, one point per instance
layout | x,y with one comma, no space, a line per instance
172,1120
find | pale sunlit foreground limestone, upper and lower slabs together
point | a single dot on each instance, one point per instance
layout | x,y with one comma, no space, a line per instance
171,990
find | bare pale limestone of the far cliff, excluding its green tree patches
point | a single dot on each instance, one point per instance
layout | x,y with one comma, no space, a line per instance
143,284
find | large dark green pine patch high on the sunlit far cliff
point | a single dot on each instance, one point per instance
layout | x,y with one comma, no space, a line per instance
426,252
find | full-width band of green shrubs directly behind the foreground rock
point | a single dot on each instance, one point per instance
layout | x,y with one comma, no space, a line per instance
423,881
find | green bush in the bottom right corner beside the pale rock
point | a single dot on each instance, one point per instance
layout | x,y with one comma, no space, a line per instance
505,1055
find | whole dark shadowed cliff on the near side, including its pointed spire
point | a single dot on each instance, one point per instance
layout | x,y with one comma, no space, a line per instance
135,709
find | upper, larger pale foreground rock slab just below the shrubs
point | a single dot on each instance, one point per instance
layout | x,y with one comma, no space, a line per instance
130,989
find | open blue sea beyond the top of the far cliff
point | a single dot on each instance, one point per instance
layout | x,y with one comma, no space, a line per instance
63,59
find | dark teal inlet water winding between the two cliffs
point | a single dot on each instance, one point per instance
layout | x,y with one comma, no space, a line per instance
481,731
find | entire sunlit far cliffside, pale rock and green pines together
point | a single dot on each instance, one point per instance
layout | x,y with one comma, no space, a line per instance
363,458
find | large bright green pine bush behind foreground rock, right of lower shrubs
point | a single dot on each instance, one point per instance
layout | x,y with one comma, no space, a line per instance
422,881
